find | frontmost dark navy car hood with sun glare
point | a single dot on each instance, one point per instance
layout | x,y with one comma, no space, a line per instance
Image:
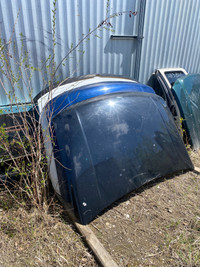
113,144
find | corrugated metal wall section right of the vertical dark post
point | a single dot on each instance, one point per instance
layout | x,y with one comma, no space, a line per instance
171,36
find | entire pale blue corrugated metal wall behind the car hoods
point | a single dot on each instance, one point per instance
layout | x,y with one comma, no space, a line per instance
171,39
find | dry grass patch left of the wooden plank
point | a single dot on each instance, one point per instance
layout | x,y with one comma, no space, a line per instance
29,238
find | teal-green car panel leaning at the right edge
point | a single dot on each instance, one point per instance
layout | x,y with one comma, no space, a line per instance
187,93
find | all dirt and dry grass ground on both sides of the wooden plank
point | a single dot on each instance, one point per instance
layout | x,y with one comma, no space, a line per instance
157,225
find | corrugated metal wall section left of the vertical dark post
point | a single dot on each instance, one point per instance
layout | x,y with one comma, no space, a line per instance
32,23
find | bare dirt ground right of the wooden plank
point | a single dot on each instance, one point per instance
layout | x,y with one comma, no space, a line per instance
159,225
